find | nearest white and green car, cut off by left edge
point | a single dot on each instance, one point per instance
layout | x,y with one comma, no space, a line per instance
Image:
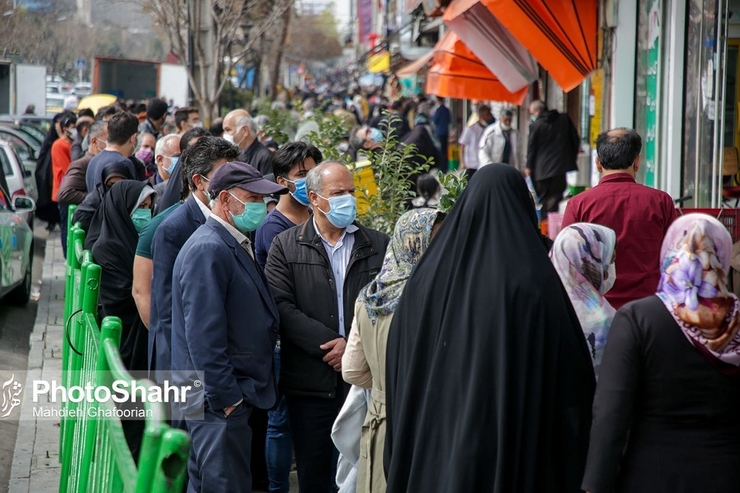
16,248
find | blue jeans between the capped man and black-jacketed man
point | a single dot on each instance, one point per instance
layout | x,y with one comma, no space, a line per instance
279,444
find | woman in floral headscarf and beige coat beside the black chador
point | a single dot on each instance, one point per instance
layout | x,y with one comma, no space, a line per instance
363,363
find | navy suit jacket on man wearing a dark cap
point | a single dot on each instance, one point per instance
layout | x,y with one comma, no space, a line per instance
224,322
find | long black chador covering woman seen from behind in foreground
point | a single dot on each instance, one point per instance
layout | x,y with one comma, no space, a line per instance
489,380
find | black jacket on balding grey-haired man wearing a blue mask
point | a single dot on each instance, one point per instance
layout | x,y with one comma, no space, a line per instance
302,281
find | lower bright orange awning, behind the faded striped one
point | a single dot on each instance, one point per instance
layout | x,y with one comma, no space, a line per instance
457,73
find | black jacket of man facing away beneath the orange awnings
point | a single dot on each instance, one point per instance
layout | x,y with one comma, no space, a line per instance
553,146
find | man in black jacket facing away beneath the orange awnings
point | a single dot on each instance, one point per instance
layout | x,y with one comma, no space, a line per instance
551,153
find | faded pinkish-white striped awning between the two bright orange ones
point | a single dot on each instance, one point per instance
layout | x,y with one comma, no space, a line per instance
495,46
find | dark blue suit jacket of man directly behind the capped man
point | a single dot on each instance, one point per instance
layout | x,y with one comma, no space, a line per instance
169,238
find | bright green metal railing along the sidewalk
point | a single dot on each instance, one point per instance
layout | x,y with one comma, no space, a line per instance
93,451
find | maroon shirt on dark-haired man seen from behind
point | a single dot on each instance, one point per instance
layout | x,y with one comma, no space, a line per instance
640,216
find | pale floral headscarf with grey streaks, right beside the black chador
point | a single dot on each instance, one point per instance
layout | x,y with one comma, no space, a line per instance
582,255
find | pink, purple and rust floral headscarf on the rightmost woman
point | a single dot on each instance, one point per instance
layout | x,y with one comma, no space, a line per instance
693,285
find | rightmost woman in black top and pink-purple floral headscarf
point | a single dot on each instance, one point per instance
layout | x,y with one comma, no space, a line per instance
666,405
